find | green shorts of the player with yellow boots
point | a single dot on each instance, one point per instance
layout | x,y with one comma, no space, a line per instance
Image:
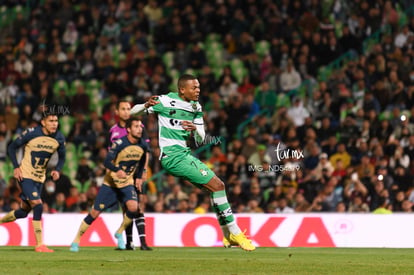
187,167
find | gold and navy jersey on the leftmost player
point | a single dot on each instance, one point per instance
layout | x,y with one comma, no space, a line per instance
37,152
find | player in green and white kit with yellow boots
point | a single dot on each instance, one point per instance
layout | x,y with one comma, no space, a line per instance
180,118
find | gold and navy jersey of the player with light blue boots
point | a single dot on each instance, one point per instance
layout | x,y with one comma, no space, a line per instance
126,156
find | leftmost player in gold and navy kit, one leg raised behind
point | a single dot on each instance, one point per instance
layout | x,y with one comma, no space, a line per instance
39,144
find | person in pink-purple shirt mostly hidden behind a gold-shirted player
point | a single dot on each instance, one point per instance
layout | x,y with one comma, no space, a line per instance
118,131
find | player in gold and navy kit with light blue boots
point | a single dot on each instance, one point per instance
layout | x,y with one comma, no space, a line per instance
125,163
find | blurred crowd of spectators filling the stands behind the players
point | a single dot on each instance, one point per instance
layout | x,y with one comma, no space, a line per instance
344,143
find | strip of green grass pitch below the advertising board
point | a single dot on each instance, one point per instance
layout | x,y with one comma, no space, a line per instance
162,260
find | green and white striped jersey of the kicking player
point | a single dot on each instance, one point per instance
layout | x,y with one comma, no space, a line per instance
172,111
